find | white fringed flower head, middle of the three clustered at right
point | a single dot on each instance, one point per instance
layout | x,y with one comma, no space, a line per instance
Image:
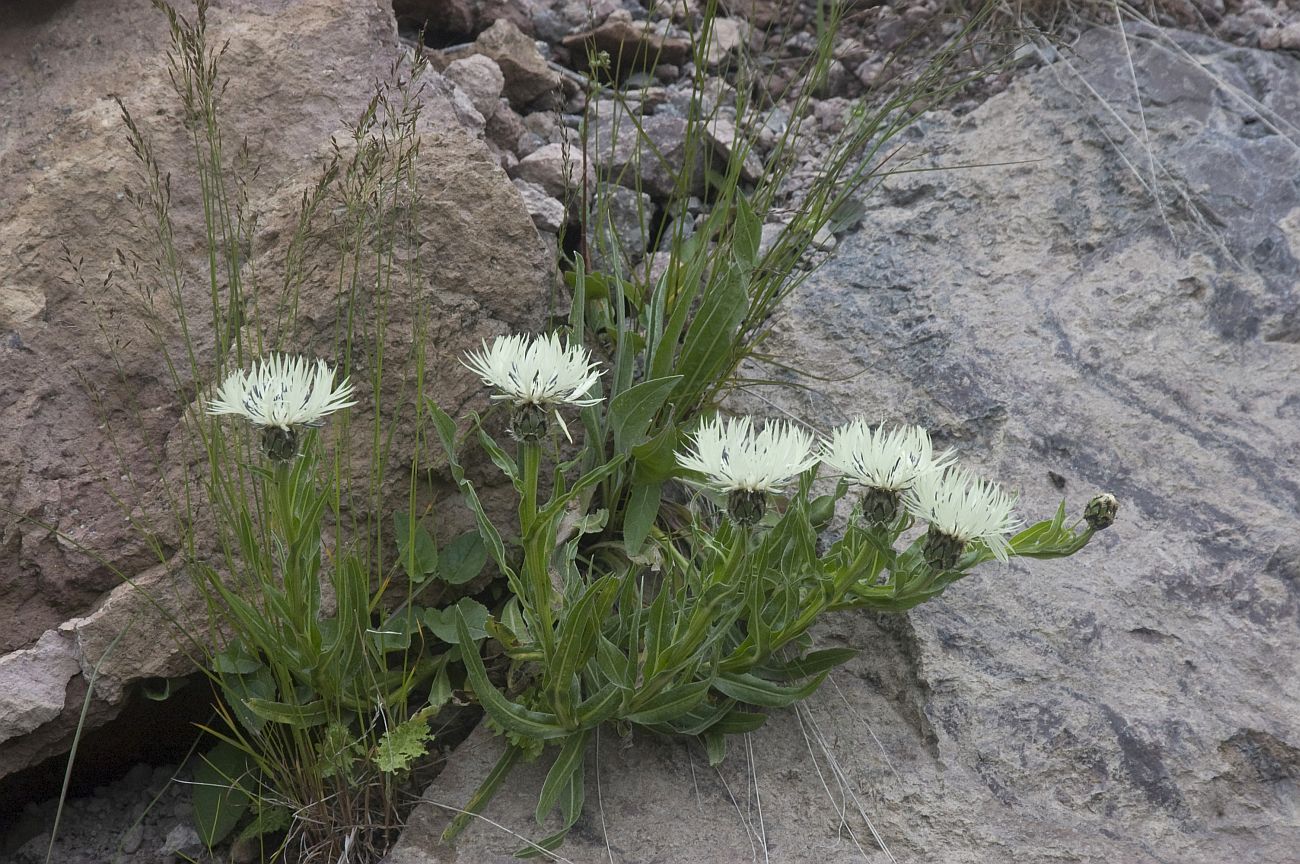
883,461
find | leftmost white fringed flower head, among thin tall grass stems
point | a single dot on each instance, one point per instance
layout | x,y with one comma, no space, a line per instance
280,394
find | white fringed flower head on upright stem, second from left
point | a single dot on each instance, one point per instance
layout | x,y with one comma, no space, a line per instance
538,375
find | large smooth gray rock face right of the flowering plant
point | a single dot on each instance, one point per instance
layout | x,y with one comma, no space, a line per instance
1067,335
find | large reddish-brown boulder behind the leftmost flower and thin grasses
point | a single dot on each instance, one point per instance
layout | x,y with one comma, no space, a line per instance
89,415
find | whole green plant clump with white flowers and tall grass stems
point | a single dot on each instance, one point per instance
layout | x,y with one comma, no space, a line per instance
665,566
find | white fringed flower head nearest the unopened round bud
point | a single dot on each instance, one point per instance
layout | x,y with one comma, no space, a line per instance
961,509
